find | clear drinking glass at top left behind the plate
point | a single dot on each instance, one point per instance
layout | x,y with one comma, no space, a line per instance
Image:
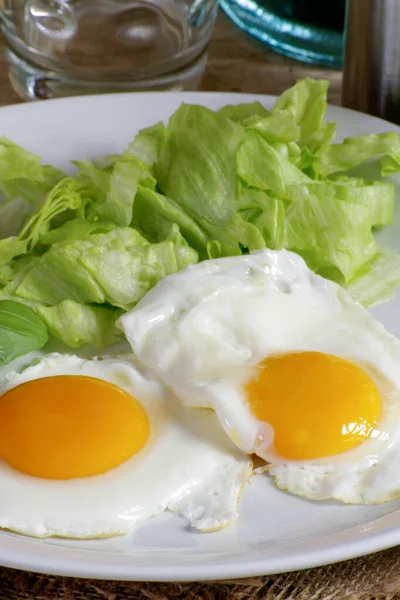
69,47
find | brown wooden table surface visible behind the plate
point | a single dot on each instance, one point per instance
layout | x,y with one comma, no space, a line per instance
237,63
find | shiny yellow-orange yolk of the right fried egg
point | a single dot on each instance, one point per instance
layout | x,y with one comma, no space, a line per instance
317,404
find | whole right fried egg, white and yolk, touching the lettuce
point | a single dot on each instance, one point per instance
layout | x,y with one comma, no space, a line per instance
296,371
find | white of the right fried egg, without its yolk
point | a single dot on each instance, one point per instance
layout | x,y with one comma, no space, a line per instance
203,331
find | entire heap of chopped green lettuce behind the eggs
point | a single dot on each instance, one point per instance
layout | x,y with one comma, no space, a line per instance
207,184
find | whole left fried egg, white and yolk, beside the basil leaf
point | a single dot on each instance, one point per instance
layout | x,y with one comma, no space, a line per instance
91,448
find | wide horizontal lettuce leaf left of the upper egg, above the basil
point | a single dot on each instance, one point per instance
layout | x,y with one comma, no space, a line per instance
117,267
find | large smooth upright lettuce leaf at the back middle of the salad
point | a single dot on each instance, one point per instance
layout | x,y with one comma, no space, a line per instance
196,166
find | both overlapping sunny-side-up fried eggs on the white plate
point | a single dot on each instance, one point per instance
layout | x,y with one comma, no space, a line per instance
292,369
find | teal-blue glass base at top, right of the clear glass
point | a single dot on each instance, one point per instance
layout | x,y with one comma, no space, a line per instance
309,30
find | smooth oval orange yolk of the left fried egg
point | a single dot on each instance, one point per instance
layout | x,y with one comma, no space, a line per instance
69,426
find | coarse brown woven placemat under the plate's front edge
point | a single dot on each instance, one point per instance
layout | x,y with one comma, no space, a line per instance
376,576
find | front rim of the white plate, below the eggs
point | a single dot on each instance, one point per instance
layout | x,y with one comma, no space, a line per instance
193,572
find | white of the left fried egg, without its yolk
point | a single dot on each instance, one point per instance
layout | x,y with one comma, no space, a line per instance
188,466
